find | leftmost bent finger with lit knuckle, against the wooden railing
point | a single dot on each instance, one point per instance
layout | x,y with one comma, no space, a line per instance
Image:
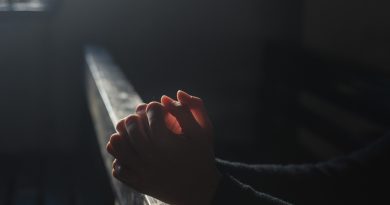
122,150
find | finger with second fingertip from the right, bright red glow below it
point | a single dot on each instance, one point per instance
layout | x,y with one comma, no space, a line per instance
182,113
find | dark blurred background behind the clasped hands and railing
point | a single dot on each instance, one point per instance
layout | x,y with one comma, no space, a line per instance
241,56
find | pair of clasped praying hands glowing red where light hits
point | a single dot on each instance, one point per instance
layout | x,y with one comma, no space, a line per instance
165,150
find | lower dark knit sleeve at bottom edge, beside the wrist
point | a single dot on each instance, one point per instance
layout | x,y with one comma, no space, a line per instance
231,191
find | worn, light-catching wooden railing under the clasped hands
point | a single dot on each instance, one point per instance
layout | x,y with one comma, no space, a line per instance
111,97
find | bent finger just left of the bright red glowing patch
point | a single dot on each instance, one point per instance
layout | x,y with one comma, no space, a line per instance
156,114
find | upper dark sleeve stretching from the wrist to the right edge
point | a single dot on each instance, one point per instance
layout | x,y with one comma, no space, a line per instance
350,179
